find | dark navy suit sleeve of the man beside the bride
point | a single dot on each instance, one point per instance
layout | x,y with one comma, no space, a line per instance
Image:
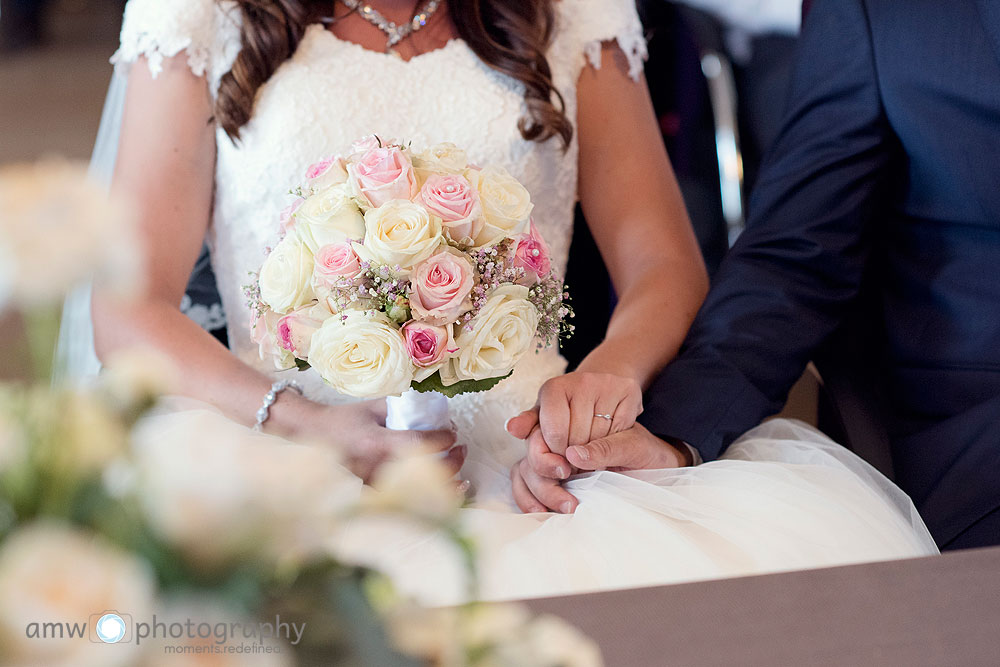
784,287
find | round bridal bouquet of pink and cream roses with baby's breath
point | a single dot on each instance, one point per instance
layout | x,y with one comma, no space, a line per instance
399,270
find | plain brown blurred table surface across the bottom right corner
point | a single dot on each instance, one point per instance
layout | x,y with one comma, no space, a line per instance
943,610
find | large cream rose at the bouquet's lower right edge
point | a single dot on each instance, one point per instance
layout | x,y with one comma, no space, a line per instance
502,333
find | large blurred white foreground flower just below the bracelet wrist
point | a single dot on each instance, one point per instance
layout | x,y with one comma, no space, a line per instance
218,491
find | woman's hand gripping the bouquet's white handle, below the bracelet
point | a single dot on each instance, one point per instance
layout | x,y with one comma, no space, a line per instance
359,431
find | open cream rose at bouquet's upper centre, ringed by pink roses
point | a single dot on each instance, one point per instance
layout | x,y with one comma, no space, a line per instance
400,233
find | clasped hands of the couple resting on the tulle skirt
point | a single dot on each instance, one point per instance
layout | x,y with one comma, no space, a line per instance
569,432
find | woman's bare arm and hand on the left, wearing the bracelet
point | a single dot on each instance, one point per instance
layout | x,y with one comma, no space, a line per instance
165,167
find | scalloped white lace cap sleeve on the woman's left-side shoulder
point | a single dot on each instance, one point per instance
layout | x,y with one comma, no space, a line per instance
207,30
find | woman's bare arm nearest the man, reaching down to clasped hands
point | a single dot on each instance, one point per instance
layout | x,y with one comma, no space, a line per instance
636,214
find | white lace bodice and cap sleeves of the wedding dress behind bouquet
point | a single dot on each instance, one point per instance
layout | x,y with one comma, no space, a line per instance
331,92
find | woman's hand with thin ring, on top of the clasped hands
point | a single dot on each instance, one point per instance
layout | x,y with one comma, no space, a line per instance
570,408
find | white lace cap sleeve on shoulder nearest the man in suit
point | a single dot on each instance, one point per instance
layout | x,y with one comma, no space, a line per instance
583,26
